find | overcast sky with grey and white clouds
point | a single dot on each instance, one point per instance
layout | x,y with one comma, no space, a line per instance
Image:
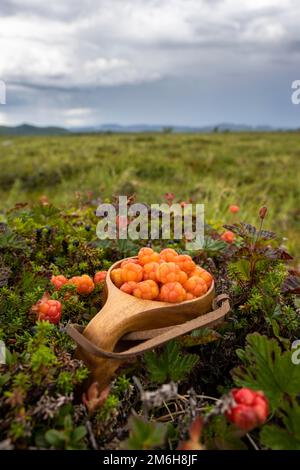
194,62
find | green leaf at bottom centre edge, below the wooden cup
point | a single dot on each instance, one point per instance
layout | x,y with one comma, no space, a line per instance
144,434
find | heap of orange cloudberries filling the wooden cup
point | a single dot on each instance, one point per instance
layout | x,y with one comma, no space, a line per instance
165,276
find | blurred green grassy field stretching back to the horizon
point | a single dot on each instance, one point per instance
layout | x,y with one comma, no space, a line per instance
248,169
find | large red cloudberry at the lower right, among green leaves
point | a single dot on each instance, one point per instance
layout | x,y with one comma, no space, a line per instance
251,409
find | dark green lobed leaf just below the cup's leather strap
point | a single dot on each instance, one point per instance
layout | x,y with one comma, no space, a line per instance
171,364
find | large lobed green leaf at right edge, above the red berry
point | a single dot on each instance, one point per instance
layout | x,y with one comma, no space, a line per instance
267,368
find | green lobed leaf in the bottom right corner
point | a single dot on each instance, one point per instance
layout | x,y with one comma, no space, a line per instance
284,438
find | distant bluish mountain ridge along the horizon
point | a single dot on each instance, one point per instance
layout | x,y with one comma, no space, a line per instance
30,129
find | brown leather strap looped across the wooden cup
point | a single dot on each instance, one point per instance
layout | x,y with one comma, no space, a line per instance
221,308
